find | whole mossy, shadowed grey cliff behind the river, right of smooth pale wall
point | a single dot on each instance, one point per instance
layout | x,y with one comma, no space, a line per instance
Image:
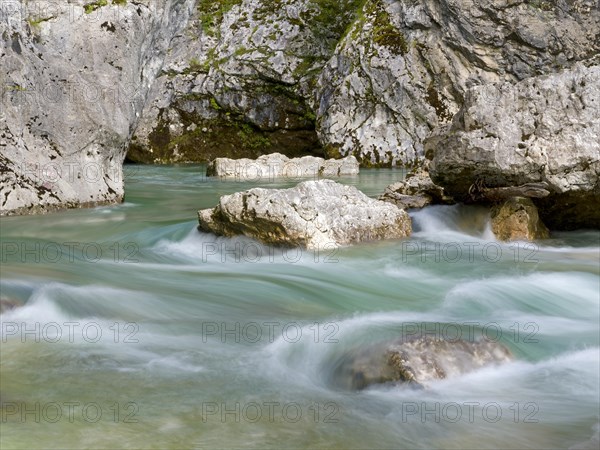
369,78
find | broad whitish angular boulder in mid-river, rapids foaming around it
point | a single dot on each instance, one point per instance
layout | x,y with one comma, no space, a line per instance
314,214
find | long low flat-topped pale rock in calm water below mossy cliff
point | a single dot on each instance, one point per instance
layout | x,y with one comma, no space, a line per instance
276,165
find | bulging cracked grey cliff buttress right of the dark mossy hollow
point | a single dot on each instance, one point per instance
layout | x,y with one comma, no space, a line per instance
404,66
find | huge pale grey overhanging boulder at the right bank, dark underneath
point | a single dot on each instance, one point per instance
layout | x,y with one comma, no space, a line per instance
541,130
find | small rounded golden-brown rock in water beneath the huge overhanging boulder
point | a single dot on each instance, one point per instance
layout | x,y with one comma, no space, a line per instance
517,219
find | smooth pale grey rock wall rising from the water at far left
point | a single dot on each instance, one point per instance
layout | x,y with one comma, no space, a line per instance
74,80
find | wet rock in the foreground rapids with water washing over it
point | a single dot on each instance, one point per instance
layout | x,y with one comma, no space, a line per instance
417,361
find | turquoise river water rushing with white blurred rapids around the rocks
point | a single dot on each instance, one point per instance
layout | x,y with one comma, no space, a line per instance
139,331
